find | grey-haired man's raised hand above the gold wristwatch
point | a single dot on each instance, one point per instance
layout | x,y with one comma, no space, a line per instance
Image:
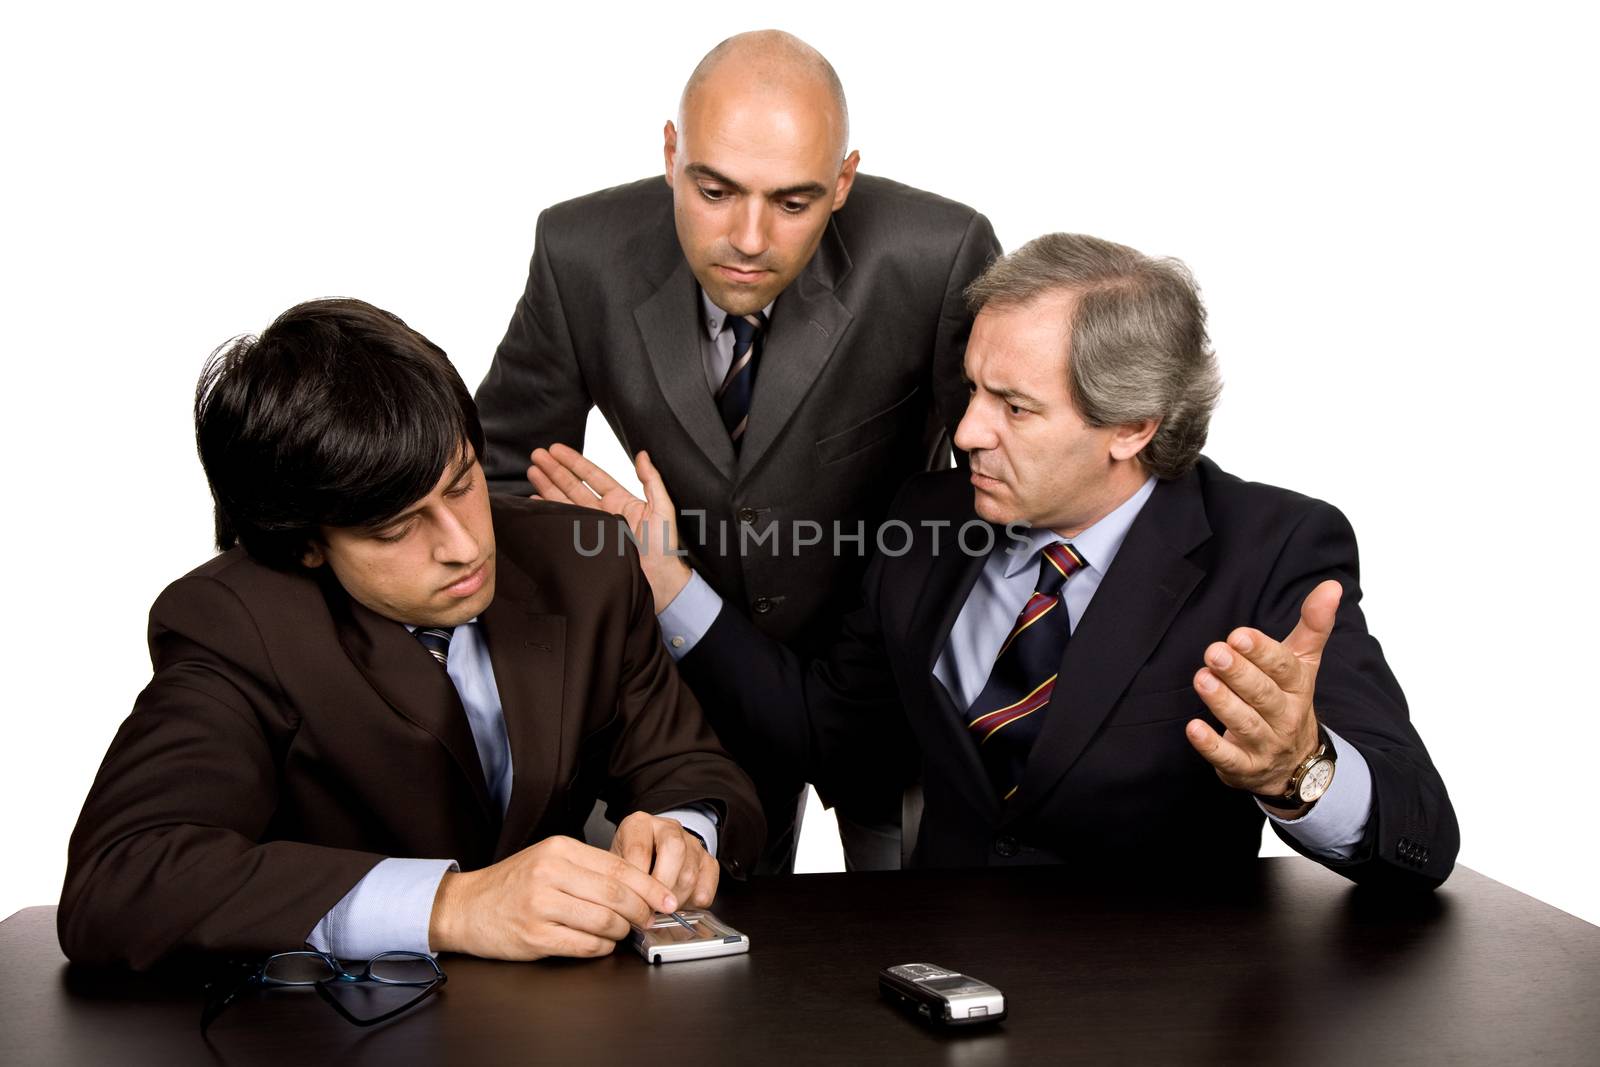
1262,690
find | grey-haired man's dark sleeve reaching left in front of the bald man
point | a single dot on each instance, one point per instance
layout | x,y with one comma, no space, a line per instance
834,721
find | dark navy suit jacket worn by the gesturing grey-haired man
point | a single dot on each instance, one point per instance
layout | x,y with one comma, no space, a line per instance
1113,778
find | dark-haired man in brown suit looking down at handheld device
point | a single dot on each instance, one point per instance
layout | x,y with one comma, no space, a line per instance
382,716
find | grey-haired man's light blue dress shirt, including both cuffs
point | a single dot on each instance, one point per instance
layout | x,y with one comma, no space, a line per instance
1334,826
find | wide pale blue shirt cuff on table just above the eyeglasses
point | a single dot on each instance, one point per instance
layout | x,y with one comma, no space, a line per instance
388,911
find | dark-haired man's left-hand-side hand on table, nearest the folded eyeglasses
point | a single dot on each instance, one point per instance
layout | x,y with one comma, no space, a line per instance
559,898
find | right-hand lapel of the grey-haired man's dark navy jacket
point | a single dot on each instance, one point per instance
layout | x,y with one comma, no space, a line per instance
1134,607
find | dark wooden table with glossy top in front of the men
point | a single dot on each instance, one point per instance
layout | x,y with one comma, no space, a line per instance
1279,964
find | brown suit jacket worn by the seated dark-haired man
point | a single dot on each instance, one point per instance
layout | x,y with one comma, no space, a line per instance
292,738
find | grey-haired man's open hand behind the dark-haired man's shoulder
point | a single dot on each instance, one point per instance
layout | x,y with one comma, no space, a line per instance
566,476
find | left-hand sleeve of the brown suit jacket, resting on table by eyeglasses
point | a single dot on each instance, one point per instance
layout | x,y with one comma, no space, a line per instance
170,852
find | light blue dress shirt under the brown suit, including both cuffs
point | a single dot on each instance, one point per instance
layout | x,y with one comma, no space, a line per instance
391,908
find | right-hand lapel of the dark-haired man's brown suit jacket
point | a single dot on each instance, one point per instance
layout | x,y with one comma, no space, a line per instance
529,653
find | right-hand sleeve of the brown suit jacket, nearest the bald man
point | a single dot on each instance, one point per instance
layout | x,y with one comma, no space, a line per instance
665,754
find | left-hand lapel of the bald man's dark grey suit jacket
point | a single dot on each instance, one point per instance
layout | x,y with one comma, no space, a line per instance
670,326
